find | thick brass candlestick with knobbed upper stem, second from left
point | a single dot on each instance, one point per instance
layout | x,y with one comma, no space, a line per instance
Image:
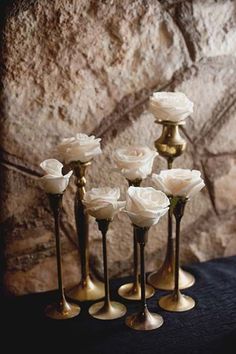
88,288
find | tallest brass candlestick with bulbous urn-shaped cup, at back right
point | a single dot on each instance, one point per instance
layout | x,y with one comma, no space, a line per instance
170,145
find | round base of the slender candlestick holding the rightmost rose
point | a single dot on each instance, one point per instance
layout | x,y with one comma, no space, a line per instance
176,303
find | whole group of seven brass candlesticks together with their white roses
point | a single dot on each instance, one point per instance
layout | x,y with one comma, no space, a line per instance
144,206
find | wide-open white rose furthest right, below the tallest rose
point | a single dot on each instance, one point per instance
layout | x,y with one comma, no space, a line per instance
179,182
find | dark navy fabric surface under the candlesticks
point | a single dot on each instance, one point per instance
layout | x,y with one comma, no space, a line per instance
209,328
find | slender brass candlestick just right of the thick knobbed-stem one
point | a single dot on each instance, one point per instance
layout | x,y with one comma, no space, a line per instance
107,309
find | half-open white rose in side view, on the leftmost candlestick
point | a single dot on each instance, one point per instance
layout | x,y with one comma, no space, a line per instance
54,182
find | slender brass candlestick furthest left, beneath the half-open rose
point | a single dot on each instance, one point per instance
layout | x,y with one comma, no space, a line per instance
61,310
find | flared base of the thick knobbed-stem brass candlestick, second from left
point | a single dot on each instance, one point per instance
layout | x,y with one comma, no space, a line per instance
88,290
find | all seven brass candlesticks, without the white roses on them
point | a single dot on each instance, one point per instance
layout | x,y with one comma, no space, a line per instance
169,277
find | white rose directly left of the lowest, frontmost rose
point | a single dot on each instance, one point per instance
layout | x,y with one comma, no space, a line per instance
102,203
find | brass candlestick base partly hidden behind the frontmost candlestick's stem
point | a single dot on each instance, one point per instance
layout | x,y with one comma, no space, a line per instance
132,292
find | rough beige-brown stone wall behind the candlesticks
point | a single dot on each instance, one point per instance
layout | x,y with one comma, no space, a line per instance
89,66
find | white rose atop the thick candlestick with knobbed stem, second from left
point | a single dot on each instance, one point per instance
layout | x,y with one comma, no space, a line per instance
81,148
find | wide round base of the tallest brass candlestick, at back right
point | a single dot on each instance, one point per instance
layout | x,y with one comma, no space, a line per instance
164,278
